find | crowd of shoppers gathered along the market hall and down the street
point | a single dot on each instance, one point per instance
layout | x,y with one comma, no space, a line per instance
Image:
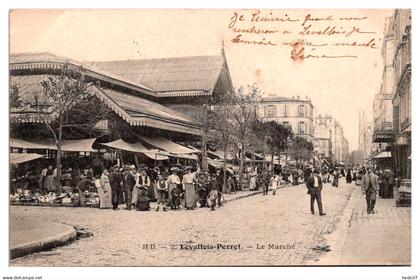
175,186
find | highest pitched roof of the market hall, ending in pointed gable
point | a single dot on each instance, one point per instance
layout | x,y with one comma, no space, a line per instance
166,75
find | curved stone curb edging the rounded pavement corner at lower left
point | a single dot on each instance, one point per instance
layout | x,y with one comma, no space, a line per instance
65,237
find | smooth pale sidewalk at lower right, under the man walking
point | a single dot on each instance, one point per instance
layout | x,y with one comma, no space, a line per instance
383,238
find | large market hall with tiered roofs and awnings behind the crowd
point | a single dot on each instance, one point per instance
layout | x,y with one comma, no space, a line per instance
147,123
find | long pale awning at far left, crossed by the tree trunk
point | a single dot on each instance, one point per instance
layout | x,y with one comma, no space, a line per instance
82,145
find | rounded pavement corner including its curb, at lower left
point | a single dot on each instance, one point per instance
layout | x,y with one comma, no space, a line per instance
28,236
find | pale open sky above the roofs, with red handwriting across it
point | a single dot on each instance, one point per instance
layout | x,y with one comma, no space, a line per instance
339,87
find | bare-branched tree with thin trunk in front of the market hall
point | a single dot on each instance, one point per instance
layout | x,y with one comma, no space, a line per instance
66,105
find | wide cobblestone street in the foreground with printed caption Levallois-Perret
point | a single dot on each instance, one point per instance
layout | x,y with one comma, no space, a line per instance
120,236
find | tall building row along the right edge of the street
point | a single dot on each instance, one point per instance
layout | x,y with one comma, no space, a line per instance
391,135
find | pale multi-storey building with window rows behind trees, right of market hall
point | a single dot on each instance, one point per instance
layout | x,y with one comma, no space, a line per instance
294,112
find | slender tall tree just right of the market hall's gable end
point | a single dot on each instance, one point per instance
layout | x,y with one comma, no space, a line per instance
244,116
